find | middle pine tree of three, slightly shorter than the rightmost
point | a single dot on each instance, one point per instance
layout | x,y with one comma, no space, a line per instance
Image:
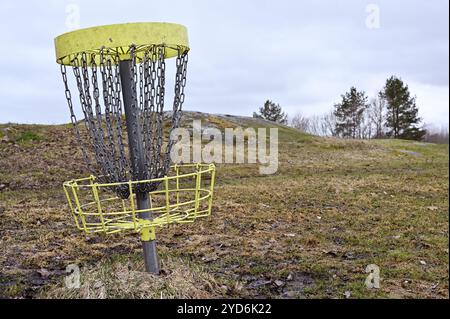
350,113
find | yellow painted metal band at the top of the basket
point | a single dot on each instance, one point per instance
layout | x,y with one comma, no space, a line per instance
119,37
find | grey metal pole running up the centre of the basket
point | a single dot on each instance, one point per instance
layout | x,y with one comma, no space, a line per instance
137,158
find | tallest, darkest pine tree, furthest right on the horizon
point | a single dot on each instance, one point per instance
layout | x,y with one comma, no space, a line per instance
402,118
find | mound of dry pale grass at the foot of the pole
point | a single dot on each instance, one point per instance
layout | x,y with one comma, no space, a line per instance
120,279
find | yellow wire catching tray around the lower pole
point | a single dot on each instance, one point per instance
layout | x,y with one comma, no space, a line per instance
184,195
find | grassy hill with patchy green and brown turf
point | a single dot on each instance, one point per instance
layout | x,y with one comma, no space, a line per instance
308,231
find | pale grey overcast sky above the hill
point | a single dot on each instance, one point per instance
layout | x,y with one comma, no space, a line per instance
301,54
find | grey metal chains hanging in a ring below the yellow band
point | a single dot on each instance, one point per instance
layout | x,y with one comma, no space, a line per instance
103,117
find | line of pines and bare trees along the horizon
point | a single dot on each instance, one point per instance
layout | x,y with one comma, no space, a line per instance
392,113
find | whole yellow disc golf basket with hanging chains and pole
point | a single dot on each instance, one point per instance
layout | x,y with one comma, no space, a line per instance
120,75
